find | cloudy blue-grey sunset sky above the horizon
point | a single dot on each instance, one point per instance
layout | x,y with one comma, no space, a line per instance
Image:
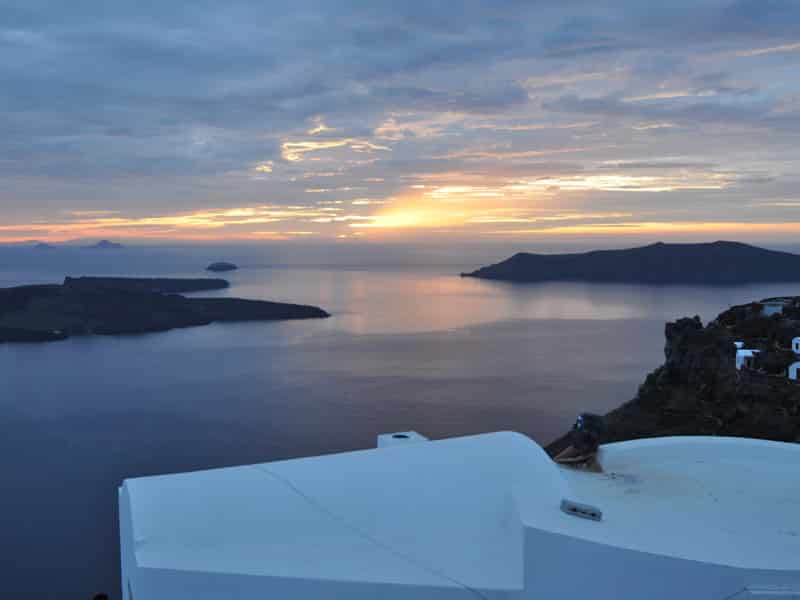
517,120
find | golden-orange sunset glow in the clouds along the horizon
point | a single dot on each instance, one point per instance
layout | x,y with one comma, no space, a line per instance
452,203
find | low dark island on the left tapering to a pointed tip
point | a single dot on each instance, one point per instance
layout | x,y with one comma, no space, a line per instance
117,305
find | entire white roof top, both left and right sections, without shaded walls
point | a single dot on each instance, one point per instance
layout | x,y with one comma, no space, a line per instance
451,513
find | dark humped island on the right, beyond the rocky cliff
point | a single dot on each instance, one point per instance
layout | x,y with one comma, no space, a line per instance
715,263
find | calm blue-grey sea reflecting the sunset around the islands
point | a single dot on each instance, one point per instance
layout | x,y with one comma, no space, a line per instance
407,348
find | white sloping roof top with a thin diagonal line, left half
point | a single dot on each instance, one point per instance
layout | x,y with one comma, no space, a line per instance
434,513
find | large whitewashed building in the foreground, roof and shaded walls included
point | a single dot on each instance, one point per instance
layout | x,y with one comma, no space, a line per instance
481,517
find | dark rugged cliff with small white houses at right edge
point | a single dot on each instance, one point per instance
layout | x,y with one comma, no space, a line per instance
699,391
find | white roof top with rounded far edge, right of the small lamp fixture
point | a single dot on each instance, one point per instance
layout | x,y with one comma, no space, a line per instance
728,501
